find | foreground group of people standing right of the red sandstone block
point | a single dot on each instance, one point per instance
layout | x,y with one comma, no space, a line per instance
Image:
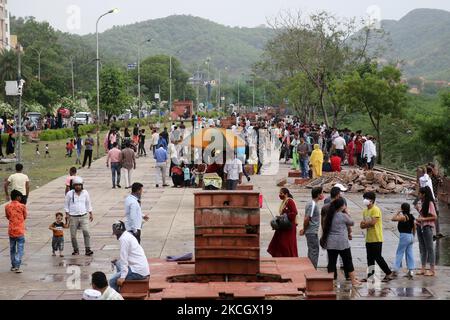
336,224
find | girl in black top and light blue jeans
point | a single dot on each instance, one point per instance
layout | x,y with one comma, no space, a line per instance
406,227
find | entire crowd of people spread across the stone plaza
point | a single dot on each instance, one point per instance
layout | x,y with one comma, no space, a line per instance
312,149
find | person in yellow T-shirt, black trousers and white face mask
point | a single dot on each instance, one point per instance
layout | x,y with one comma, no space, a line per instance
372,222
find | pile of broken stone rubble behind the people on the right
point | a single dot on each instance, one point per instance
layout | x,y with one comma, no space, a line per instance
364,181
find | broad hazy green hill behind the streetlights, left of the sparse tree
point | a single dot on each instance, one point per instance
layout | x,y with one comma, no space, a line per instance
197,38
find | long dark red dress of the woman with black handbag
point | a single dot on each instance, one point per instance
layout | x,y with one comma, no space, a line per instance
284,242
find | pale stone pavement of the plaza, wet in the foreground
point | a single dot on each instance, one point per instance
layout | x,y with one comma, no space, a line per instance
170,231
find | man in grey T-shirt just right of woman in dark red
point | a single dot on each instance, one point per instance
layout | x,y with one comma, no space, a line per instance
311,225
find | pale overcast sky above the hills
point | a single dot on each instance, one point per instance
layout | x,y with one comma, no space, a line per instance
79,16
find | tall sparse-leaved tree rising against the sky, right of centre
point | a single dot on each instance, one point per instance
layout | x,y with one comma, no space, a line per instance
322,47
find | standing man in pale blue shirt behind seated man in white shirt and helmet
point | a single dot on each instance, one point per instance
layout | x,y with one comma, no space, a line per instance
133,211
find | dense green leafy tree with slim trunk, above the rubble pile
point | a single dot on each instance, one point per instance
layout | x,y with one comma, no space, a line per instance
377,91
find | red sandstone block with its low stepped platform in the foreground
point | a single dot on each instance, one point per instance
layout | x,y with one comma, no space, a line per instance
227,259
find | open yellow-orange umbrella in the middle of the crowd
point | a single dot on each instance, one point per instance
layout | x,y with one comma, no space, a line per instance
204,137
